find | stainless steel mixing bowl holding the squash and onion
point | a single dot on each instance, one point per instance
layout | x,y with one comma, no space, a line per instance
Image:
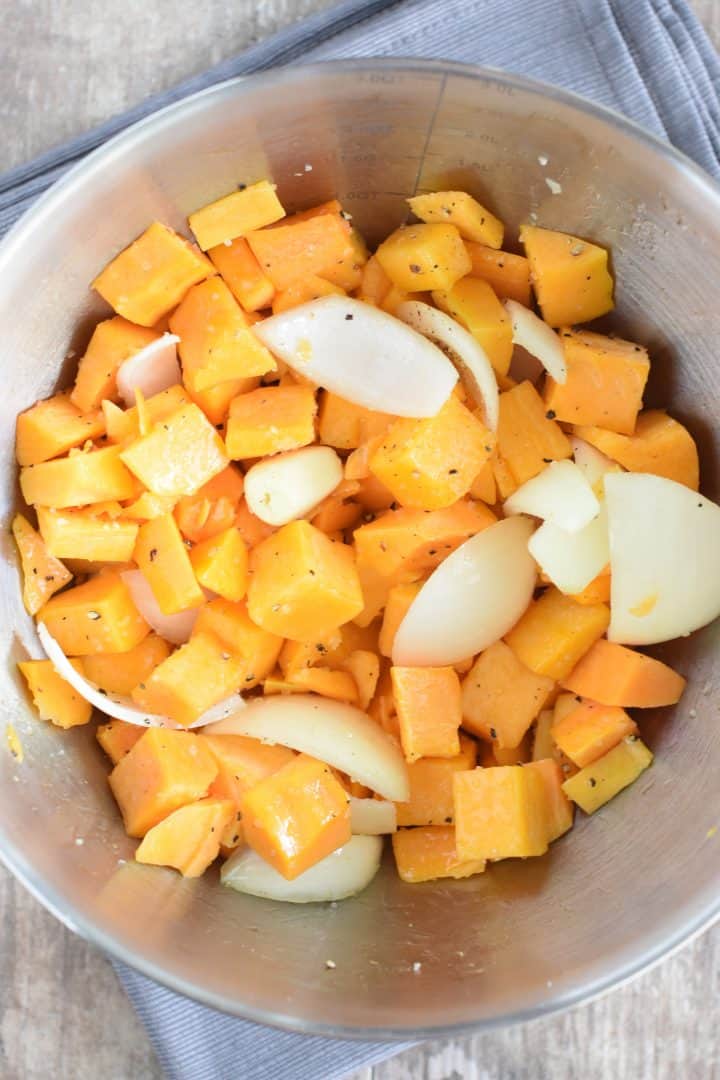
626,887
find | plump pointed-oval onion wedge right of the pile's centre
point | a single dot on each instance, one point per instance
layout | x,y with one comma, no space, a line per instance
472,600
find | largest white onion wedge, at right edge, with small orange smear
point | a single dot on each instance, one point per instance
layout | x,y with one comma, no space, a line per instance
664,559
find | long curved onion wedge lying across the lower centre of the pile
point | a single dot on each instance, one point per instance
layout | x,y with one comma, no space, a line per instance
332,732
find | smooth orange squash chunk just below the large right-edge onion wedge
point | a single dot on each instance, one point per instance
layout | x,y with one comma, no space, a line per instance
615,676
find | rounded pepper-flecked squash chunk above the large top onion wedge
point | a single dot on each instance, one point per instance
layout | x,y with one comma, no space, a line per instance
424,258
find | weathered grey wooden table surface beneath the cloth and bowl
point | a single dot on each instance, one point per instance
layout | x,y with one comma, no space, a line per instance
63,1015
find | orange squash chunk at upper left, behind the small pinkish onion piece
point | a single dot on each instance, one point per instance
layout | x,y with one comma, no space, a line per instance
114,342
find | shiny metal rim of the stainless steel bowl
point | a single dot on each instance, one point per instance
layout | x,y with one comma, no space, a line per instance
697,915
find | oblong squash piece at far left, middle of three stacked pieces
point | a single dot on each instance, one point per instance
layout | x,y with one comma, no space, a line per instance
81,479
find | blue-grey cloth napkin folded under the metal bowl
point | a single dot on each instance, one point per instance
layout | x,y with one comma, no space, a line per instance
647,59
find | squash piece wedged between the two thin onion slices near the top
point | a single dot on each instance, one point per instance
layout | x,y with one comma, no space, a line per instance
474,305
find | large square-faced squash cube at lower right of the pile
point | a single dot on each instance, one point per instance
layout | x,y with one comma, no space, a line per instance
500,814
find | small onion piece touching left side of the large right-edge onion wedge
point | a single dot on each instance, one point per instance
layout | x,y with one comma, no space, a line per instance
573,560
